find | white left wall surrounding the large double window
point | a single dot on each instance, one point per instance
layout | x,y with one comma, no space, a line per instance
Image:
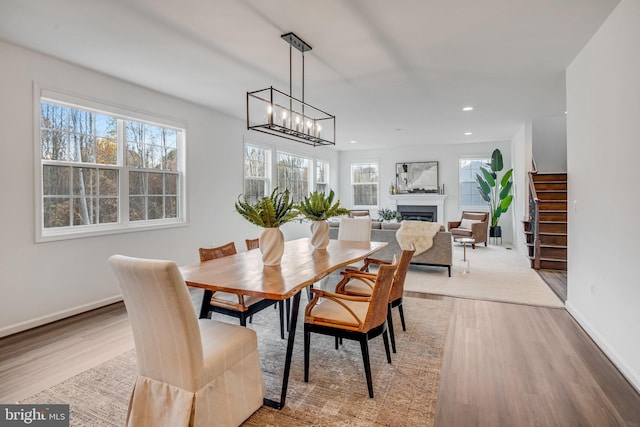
46,281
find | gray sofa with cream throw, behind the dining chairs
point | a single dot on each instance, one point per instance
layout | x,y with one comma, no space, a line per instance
440,254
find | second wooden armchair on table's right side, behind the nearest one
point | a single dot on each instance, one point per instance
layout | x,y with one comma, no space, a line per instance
361,283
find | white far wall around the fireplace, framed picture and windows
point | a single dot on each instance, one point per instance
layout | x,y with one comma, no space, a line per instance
447,156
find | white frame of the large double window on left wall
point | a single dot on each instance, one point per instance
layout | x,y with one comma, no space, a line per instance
123,225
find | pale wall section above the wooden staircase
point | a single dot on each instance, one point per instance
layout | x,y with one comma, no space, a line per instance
550,144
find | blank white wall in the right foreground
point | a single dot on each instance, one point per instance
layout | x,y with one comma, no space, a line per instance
603,102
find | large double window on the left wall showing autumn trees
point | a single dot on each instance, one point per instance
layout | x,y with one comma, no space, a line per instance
102,172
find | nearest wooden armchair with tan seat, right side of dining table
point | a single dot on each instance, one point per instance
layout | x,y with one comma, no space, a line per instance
351,317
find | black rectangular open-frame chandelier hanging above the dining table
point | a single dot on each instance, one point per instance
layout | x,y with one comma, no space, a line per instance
277,113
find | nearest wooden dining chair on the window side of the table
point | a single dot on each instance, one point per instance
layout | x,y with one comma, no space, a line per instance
240,306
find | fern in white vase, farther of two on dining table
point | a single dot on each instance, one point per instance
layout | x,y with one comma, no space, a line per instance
318,208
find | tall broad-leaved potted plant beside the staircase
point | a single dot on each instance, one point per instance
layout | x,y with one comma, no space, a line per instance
495,190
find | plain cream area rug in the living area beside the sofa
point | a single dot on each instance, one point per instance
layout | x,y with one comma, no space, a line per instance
495,274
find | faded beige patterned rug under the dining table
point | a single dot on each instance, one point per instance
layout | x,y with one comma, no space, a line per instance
405,391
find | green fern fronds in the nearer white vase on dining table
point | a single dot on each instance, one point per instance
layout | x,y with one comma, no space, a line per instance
268,212
